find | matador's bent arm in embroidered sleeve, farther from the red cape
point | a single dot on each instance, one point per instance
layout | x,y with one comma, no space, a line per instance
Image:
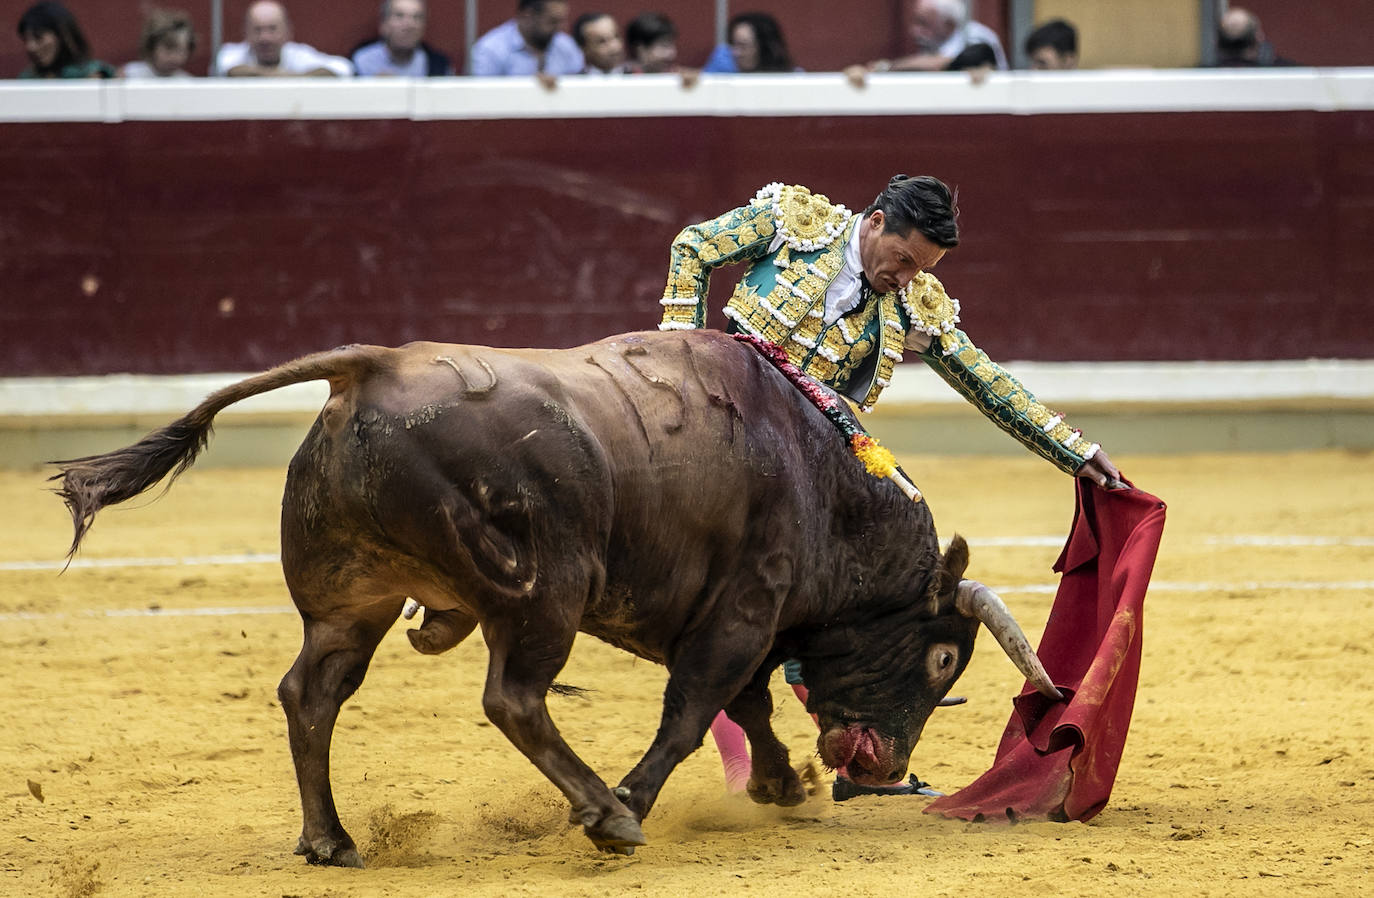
741,234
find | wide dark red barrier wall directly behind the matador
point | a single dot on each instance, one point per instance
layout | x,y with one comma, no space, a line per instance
234,245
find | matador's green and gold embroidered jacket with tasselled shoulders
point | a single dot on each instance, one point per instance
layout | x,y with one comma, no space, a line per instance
795,242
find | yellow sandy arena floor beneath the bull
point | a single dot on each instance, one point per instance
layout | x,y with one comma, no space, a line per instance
160,750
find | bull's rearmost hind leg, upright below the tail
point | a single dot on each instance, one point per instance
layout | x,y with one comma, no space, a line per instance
330,668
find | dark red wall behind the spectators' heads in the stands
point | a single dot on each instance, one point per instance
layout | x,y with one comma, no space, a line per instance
1328,34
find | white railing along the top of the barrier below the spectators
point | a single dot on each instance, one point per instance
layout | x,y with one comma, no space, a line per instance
802,94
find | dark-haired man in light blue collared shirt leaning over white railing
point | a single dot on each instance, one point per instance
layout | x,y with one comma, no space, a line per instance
531,45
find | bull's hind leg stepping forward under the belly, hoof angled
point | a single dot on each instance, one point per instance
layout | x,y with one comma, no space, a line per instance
527,653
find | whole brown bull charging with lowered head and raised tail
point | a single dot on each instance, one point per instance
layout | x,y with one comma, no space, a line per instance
673,495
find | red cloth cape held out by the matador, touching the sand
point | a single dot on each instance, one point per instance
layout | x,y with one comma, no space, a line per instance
1059,760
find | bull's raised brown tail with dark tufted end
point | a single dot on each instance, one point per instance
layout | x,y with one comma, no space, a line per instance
94,483
